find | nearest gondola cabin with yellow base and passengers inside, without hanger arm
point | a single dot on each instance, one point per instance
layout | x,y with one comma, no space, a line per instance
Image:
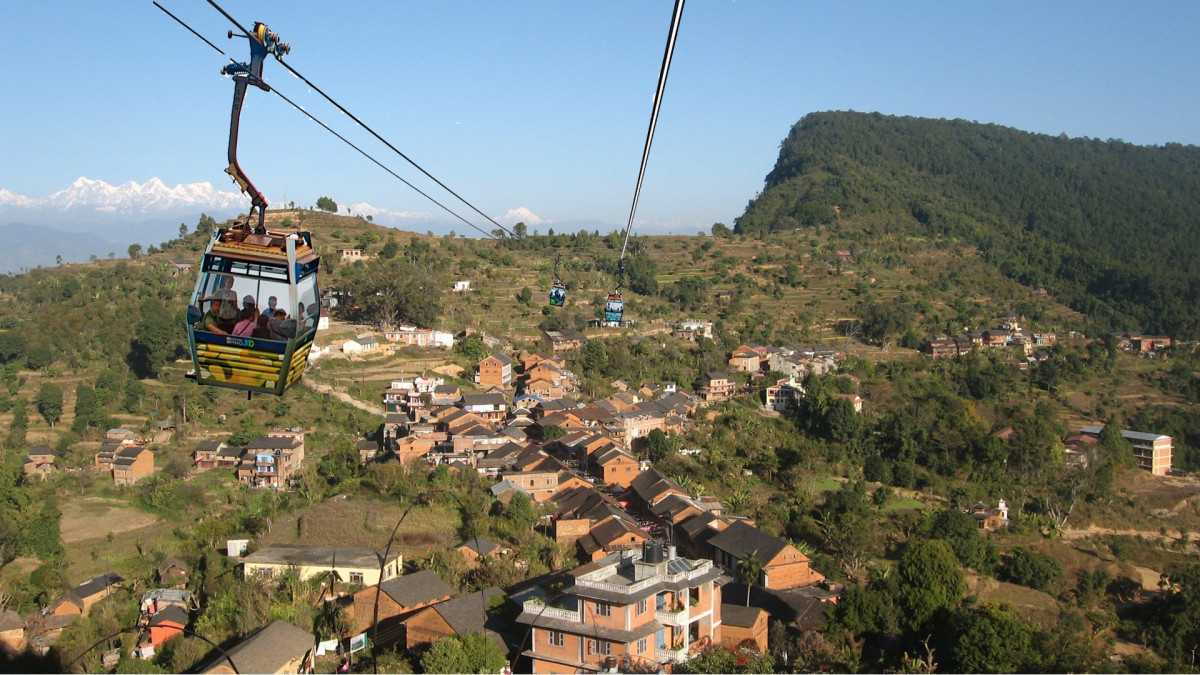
255,309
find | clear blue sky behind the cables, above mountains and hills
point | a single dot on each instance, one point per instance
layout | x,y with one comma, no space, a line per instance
544,105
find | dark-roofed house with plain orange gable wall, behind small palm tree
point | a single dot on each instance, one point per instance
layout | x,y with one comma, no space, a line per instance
783,565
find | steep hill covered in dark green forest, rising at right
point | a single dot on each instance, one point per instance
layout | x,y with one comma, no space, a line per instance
1112,229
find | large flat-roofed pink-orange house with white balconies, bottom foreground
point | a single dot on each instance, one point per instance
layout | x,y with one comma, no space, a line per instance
641,608
